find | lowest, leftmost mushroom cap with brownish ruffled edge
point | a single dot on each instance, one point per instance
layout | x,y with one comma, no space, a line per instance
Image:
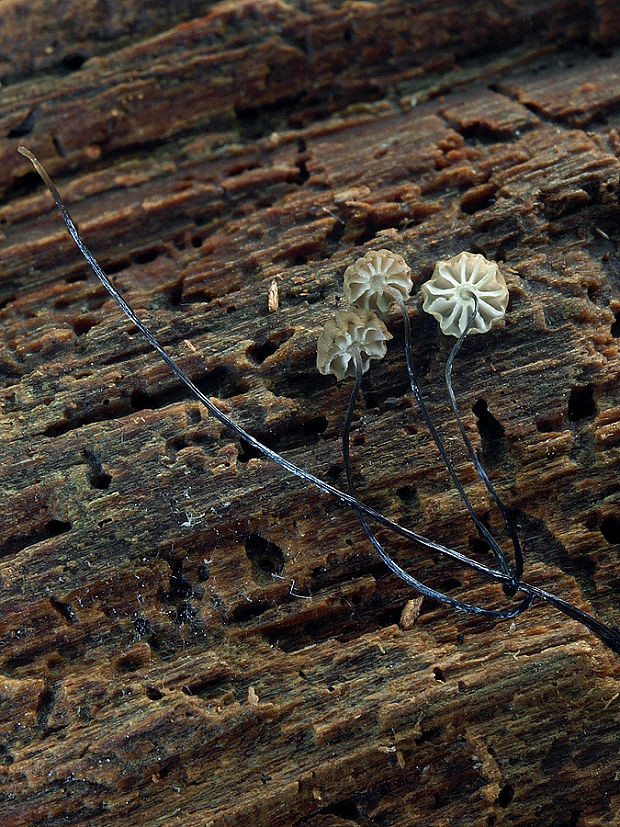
352,335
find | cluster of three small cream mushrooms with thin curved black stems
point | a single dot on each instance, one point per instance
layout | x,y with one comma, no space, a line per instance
466,292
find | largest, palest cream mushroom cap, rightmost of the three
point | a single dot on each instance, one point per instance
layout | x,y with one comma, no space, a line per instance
449,293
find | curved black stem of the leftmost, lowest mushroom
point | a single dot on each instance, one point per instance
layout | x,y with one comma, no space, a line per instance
427,591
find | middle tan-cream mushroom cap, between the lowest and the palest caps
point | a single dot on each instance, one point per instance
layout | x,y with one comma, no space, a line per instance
377,280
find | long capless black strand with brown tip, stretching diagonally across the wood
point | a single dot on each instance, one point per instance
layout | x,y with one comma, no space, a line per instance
610,636
